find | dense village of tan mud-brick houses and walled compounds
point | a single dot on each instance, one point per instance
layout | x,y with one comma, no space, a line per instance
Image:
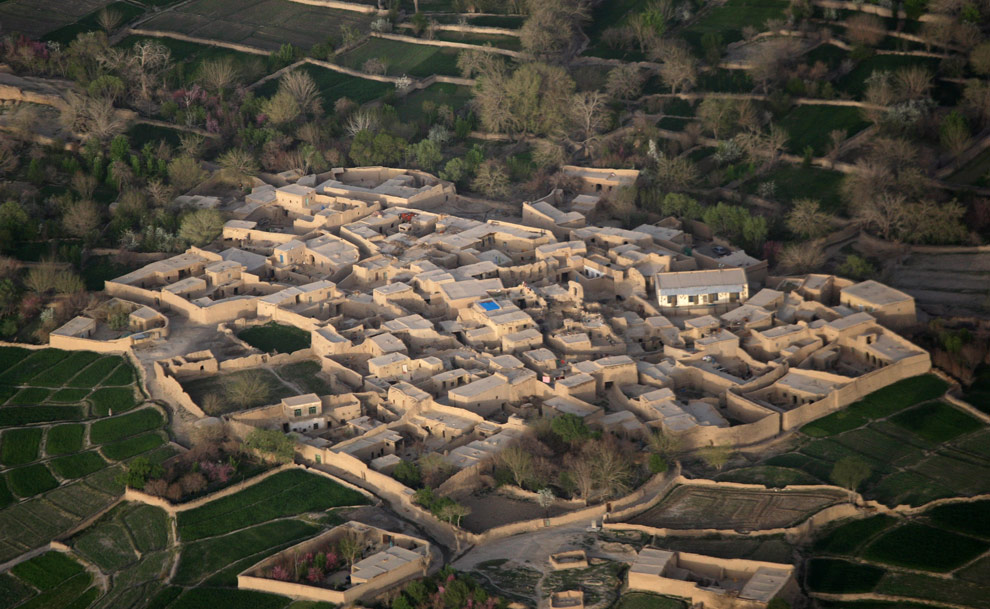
428,338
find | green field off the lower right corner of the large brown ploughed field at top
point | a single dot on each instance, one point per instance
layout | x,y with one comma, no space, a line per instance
417,60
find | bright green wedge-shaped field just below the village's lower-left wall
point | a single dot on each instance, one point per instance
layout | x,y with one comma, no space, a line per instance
285,494
